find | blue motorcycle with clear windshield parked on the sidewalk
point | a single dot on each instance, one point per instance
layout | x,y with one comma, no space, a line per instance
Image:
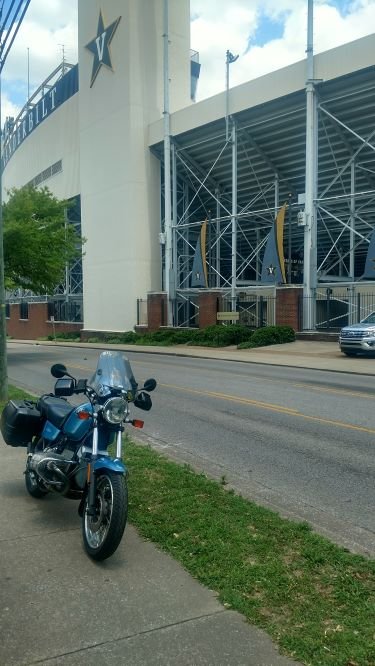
69,446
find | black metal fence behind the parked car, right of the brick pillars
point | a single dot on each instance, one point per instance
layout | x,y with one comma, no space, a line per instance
334,310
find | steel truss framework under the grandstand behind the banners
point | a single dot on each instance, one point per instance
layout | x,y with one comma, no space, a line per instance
238,184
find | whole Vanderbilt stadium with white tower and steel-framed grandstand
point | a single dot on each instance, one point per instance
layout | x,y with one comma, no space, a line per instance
256,205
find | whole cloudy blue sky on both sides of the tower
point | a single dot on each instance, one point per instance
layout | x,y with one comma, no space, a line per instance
265,34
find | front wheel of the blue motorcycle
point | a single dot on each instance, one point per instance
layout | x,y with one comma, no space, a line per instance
103,532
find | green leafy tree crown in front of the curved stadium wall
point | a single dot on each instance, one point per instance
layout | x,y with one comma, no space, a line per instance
38,241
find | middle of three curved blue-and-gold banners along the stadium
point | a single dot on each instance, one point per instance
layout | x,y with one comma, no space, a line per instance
273,268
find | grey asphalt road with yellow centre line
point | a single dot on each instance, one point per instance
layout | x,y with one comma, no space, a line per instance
300,441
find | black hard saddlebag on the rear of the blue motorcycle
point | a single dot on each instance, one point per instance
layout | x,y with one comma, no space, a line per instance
20,422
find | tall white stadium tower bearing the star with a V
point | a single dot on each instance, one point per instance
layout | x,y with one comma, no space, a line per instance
120,178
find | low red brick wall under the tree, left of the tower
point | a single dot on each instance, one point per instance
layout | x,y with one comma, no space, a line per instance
37,325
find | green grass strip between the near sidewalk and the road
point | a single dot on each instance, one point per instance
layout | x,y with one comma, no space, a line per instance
315,599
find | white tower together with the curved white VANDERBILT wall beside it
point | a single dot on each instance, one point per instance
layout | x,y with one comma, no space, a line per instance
101,137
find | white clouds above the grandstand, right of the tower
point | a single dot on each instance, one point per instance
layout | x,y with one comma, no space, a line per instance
213,32
